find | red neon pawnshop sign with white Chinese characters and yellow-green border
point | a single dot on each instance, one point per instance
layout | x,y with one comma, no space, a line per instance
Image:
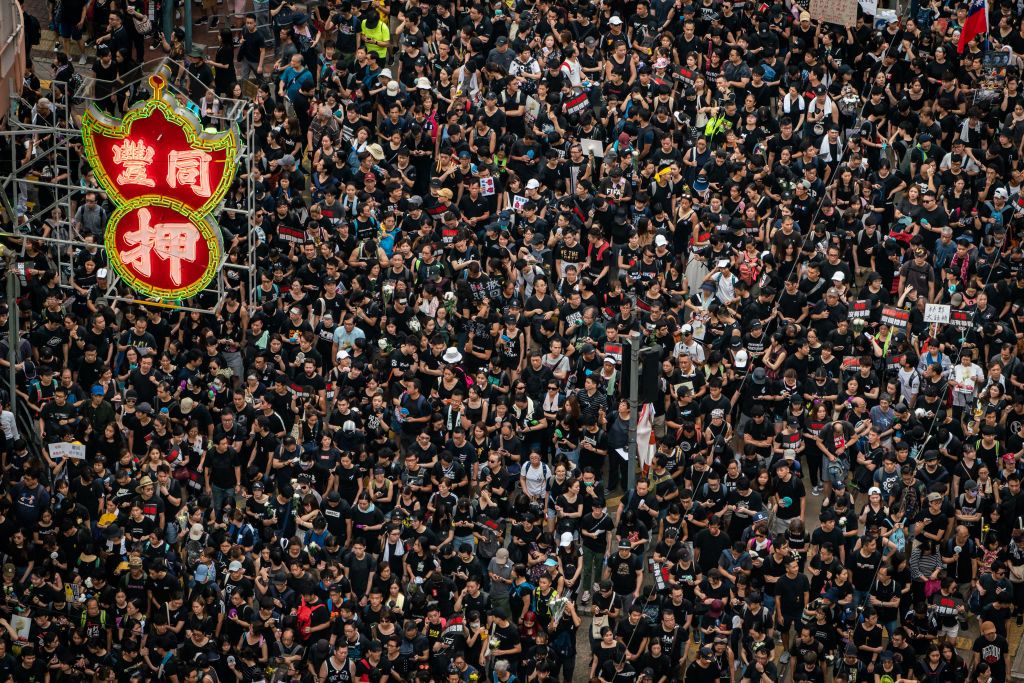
164,175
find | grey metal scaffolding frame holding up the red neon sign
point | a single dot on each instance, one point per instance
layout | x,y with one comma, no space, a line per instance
30,199
